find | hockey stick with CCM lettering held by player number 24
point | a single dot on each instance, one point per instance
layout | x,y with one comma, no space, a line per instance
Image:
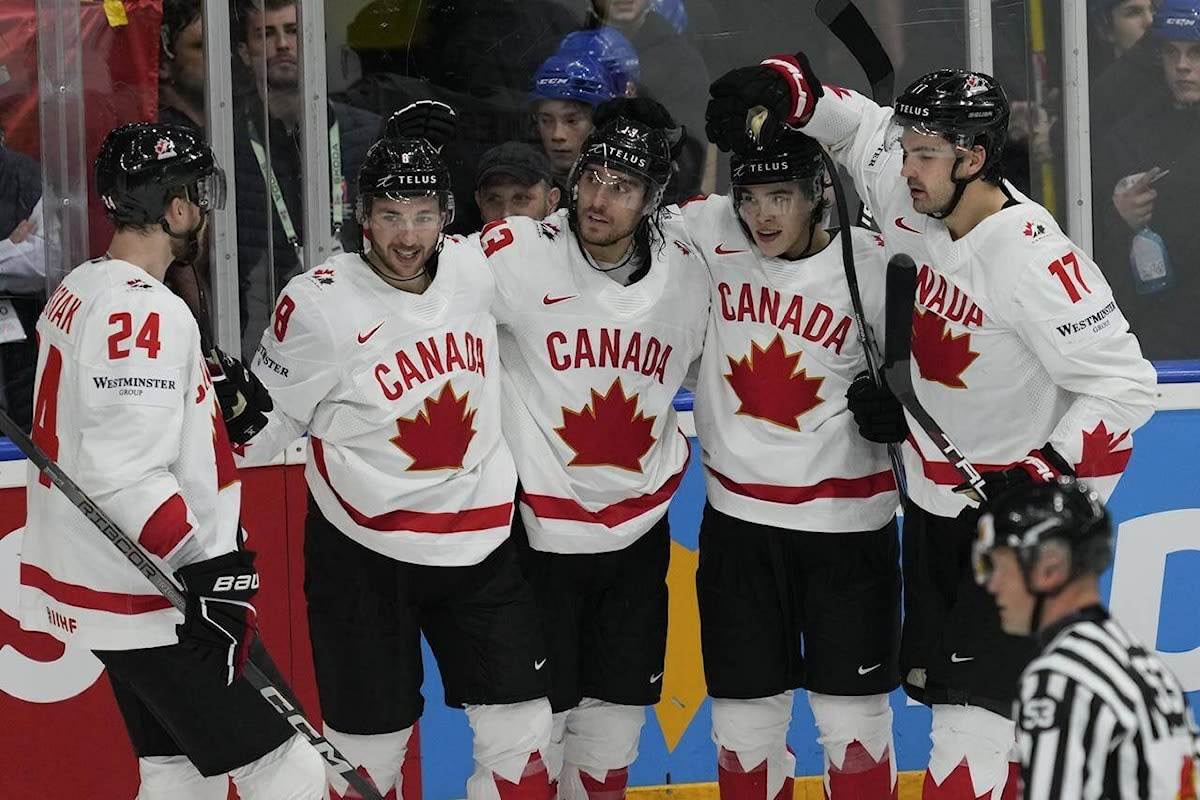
335,762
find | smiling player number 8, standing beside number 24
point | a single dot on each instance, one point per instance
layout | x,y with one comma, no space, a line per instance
388,358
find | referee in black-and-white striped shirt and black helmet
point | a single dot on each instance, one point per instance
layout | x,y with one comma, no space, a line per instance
1097,715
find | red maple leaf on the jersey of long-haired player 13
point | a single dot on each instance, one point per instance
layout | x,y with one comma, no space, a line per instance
609,431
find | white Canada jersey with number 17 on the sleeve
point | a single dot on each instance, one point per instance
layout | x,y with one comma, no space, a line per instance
1017,339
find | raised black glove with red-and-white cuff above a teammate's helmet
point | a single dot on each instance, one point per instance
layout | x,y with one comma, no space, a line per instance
783,85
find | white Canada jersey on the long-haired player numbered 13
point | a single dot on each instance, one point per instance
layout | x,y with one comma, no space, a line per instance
591,372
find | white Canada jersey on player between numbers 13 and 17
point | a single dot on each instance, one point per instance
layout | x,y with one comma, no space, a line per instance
779,446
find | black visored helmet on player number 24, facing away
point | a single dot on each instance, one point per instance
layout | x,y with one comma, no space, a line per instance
143,166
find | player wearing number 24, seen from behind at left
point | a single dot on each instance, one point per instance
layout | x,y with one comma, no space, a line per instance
125,406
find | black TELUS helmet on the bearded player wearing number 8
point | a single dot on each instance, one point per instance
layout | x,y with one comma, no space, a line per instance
404,170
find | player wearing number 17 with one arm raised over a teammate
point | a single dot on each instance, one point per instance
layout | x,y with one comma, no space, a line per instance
1018,351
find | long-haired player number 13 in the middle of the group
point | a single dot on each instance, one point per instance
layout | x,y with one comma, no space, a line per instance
602,309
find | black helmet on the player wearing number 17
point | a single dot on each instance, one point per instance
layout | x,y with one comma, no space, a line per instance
967,109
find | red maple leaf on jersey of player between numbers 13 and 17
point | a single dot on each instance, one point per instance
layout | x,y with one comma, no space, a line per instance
771,387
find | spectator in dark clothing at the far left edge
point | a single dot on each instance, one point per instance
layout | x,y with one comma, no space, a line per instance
22,280
